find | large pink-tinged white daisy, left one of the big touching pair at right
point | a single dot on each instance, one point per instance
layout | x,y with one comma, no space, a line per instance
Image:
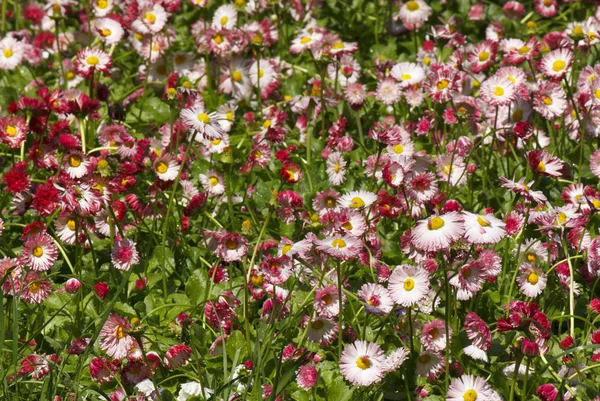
437,232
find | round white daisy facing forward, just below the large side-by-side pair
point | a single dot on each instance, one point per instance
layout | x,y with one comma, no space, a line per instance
408,285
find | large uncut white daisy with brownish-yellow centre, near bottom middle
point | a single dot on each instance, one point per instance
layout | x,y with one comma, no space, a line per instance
362,363
